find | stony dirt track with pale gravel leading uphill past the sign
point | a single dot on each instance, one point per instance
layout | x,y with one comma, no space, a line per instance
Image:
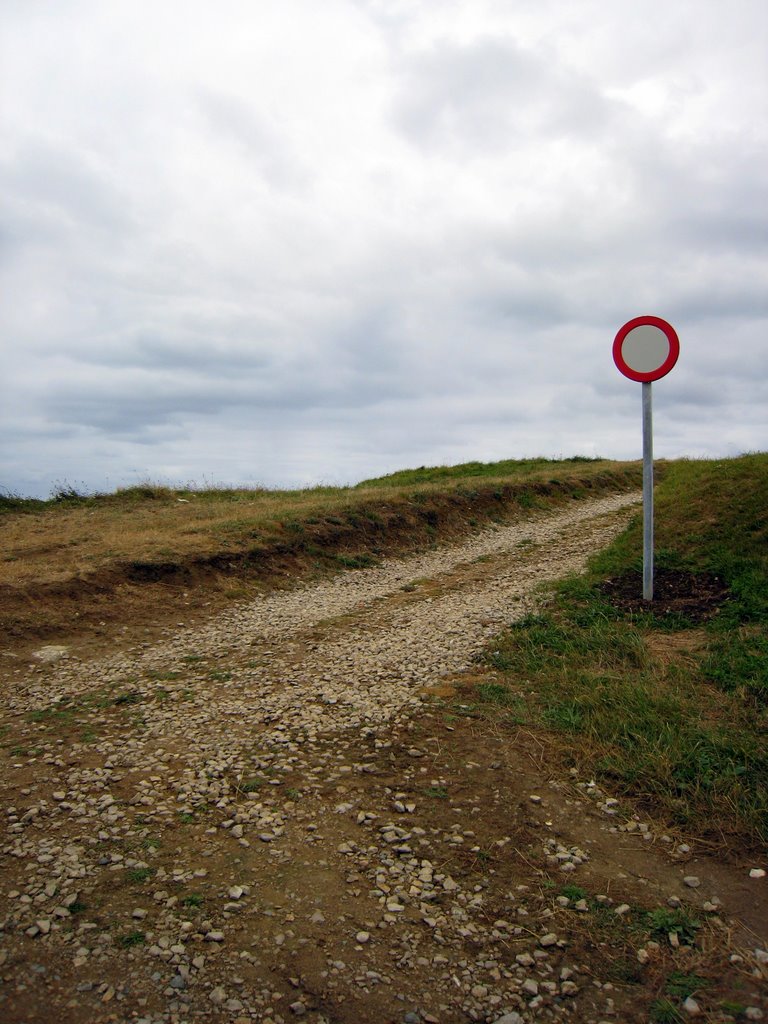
272,818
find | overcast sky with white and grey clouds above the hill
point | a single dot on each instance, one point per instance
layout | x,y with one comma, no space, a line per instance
291,242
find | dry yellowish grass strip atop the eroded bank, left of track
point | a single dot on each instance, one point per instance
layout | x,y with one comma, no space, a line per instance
62,541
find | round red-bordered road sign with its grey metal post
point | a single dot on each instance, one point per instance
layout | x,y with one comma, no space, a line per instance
646,350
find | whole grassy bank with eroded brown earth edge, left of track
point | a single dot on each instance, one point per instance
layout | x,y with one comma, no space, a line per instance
98,561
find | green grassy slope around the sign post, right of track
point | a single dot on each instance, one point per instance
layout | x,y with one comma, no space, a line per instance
672,709
